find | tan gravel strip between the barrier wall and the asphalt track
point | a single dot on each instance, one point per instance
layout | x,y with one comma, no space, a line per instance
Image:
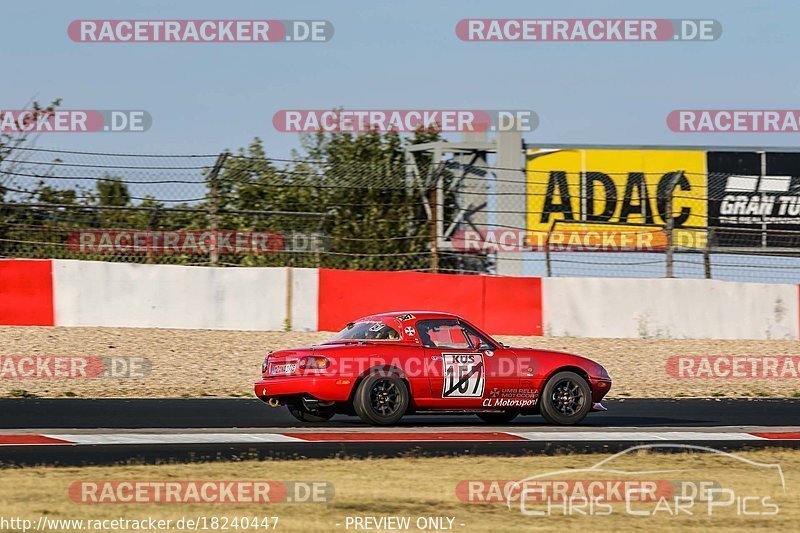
225,363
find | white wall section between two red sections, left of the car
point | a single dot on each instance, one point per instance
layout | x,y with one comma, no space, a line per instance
89,293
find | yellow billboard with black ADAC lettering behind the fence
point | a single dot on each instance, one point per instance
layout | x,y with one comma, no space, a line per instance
599,189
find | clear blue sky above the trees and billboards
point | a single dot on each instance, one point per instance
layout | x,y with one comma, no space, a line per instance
206,97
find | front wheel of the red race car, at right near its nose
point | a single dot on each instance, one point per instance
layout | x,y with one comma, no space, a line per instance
566,399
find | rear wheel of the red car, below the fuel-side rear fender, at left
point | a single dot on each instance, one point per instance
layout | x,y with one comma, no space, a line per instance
381,400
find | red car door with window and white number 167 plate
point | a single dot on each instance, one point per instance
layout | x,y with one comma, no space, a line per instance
461,373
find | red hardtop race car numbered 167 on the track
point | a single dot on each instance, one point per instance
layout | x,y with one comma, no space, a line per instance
384,366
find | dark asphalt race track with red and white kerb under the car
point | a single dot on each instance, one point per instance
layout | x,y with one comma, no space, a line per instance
104,431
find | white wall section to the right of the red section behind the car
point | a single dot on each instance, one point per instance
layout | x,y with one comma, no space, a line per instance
669,308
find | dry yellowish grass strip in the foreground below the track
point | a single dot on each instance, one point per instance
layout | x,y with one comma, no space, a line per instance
423,487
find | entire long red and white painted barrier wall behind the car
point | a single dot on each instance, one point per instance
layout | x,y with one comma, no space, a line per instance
91,294
